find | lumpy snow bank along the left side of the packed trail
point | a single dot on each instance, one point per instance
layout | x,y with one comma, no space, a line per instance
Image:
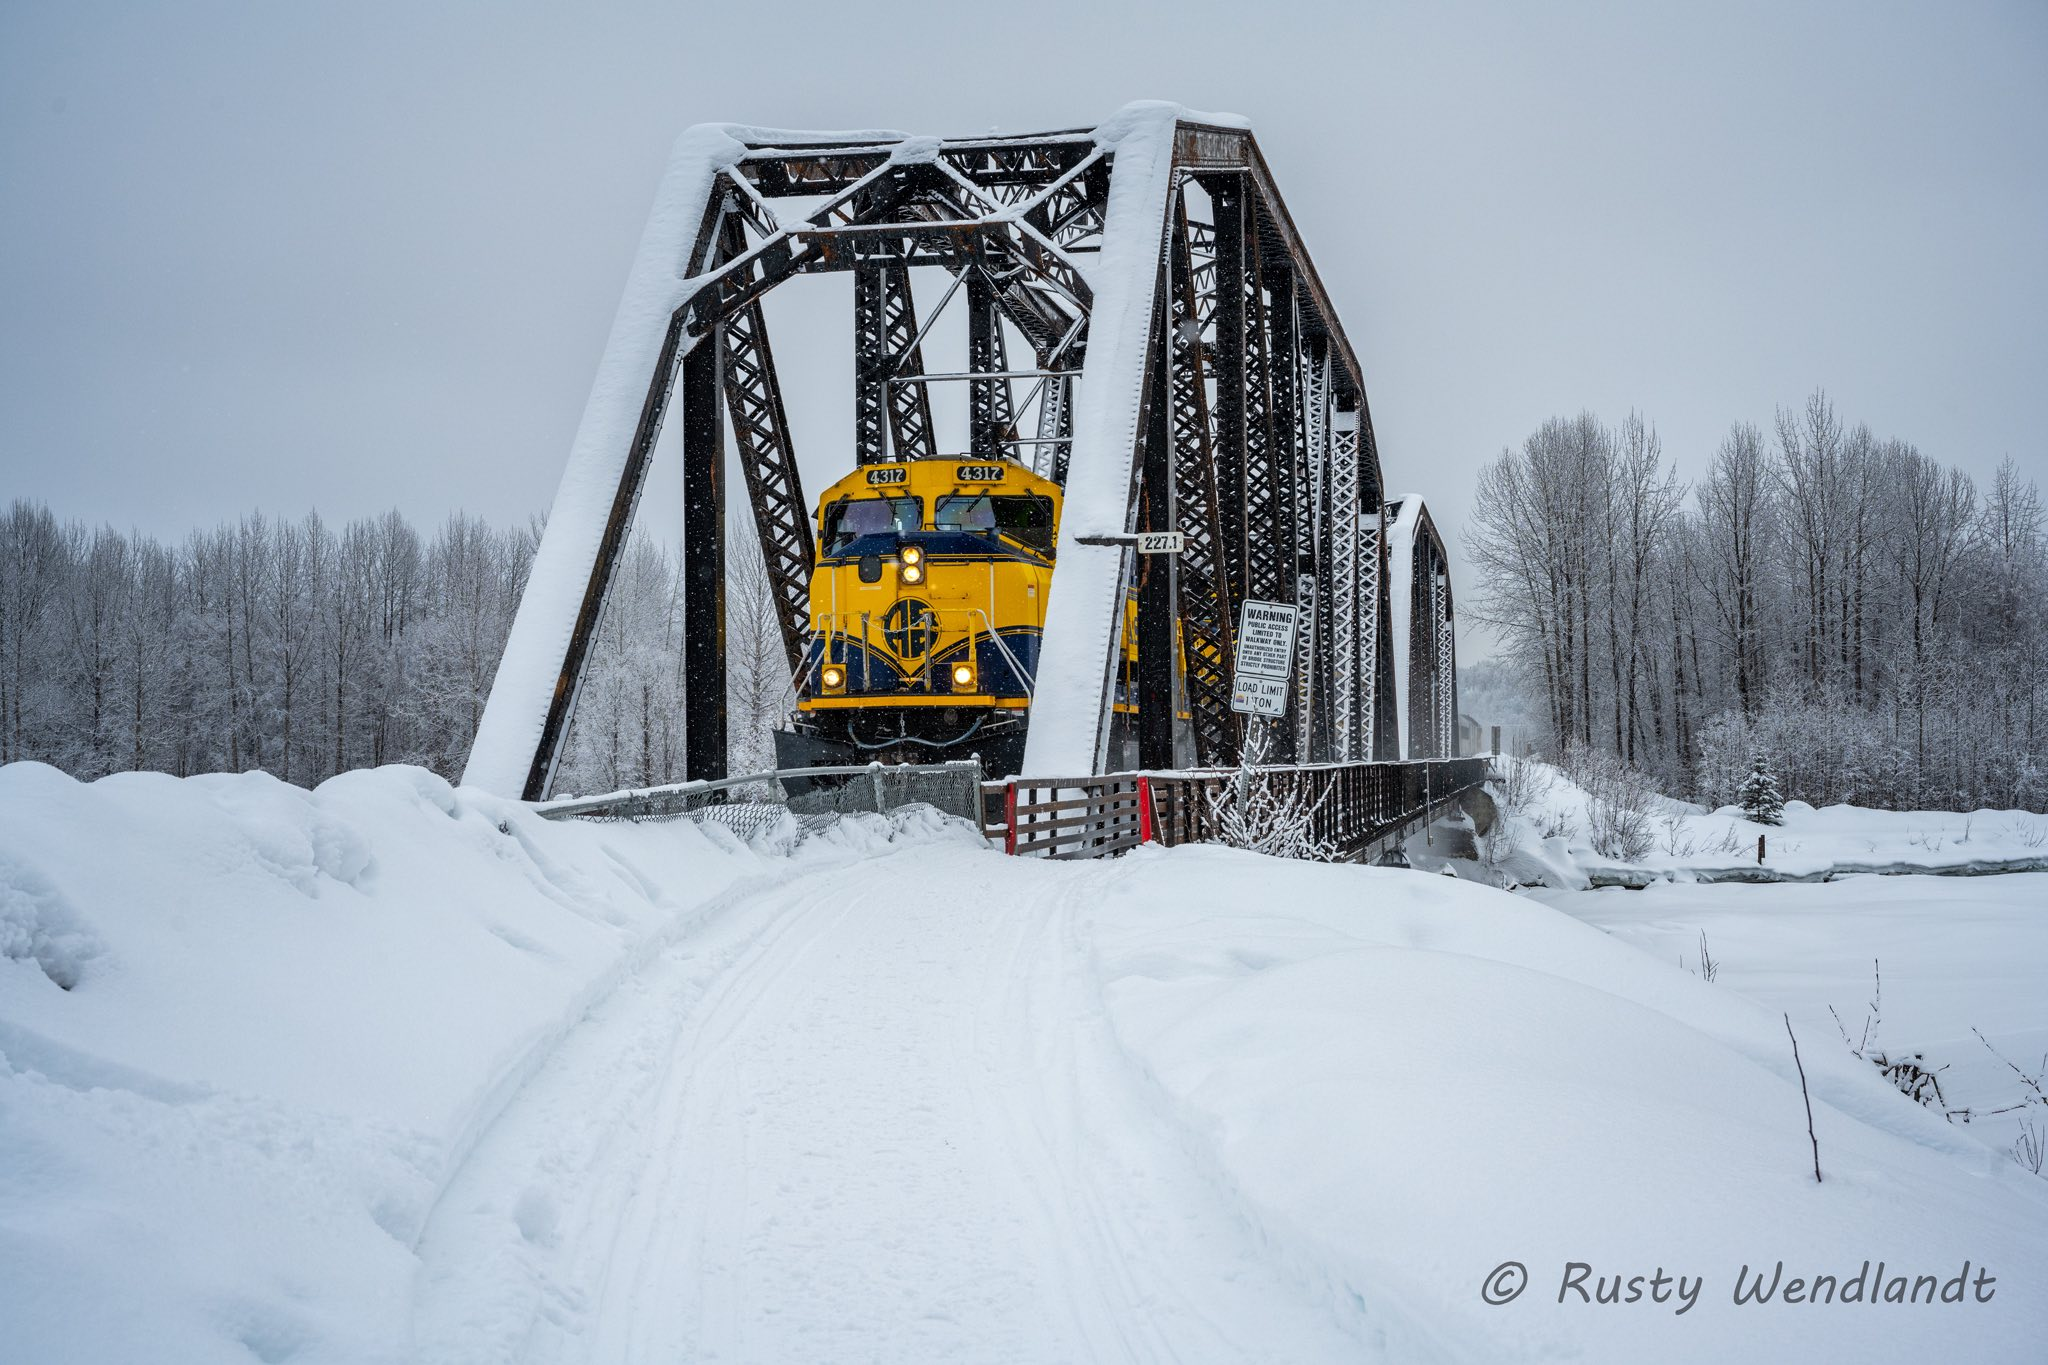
247,1032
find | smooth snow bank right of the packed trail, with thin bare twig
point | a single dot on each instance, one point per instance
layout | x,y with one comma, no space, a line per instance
1412,1082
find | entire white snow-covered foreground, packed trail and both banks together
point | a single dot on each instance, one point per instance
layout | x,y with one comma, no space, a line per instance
402,1073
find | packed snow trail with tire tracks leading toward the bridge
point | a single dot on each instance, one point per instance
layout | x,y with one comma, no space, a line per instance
876,1114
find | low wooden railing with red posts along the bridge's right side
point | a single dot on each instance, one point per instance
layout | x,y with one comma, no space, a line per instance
1355,809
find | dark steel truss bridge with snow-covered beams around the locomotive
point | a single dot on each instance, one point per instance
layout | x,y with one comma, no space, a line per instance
1144,326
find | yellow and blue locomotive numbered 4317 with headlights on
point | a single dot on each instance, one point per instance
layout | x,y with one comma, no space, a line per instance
927,613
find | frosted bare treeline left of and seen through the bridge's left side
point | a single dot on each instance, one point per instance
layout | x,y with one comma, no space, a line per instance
304,650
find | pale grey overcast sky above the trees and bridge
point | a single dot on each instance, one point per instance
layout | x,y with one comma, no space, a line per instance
351,257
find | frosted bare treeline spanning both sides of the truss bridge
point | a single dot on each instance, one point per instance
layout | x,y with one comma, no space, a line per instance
1869,619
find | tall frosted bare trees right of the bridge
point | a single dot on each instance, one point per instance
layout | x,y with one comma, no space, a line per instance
1863,615
